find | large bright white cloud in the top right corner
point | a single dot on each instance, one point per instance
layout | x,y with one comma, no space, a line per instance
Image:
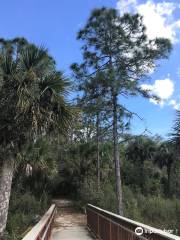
158,17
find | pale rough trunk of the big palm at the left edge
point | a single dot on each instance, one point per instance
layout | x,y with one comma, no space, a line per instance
6,174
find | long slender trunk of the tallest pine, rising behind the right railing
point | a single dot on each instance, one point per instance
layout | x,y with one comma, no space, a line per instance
117,158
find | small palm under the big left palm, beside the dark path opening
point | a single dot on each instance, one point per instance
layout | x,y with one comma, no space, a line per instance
38,163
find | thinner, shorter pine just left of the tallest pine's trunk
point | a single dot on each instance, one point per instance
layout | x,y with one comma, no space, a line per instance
94,105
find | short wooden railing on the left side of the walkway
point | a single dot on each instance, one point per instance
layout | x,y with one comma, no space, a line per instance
42,230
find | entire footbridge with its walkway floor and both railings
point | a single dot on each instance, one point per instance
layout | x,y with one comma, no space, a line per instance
69,224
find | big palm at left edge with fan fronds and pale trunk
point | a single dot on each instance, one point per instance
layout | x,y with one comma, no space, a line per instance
32,104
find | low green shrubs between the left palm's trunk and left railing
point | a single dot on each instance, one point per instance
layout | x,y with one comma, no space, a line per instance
25,210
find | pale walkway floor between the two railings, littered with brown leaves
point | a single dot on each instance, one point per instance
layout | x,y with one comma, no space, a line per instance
69,224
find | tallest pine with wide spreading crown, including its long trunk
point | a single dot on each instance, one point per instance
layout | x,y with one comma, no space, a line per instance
118,47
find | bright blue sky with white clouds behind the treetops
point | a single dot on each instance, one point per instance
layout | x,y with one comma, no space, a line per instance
55,24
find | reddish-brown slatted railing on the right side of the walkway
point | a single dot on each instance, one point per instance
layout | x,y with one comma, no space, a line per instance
108,226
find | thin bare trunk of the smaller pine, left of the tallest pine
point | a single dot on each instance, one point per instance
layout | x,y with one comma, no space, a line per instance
98,148
